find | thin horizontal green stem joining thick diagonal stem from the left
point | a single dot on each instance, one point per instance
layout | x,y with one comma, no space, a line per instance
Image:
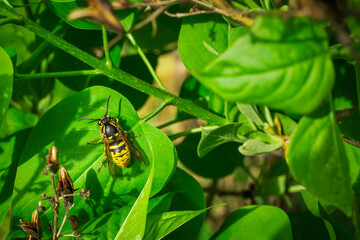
19,76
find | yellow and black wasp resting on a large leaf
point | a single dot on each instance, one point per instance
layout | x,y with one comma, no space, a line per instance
117,146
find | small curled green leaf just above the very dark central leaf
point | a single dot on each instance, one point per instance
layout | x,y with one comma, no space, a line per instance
212,138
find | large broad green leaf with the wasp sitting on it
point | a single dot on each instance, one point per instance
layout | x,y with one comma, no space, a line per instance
59,127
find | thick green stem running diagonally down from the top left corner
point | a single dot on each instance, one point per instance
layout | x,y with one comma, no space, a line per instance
116,74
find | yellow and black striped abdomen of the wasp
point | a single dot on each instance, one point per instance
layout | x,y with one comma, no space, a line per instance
120,153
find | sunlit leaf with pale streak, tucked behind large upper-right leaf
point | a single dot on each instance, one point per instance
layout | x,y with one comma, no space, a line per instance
202,38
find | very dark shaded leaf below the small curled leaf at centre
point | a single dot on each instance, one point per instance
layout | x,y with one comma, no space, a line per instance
220,162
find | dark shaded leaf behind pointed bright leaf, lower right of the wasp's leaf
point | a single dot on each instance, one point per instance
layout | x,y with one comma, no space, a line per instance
189,196
